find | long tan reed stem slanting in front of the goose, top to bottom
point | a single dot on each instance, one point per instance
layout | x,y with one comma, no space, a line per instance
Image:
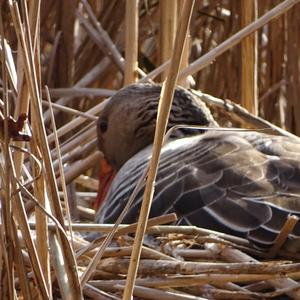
162,119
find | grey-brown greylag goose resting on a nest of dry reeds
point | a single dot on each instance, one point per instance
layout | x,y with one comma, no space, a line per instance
220,180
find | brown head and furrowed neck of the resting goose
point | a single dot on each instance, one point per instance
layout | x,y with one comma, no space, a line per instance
127,123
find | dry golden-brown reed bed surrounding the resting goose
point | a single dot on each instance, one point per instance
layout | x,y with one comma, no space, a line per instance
60,63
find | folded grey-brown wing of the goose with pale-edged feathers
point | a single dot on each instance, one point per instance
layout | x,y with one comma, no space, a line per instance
221,181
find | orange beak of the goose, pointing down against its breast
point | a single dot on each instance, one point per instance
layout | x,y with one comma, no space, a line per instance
106,176
